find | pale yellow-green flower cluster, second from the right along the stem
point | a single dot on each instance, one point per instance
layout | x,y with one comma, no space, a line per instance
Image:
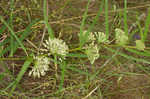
121,37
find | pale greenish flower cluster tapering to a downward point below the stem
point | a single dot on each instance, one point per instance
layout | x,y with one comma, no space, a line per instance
92,52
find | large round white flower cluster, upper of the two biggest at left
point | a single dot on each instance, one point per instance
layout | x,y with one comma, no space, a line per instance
56,46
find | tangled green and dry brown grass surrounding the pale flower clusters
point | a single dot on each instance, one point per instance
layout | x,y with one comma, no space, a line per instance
121,70
